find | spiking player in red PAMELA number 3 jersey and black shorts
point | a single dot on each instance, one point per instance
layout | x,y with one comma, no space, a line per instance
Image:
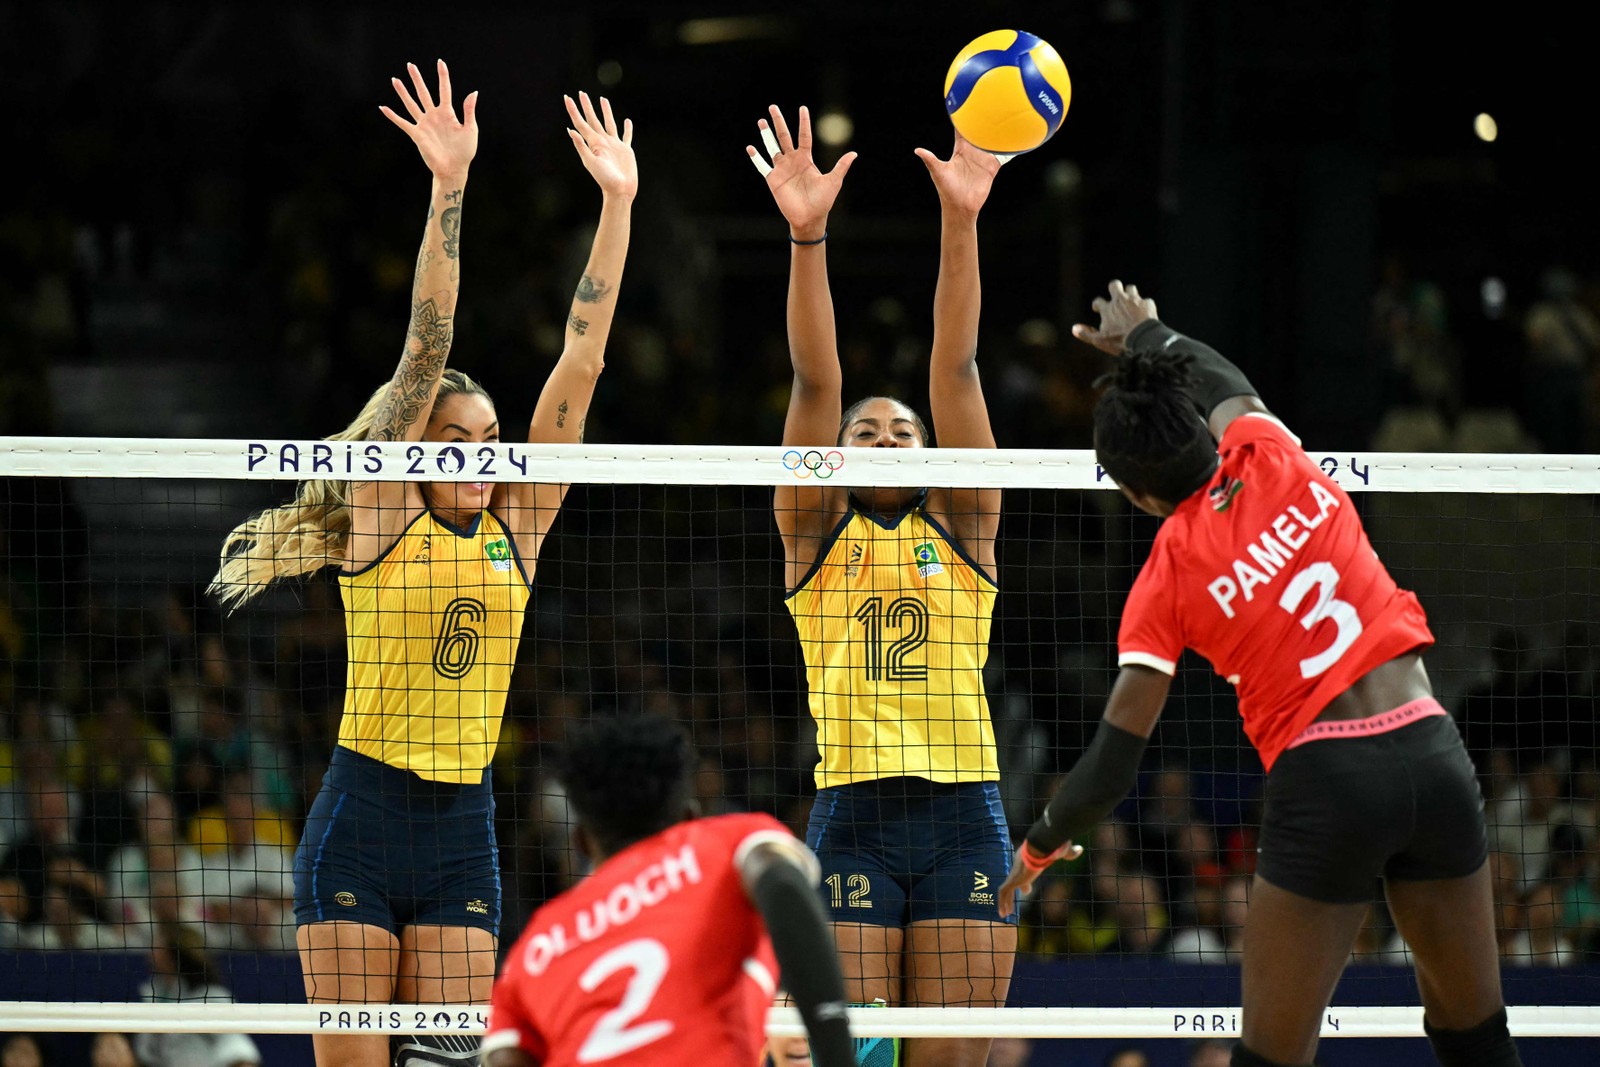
1262,567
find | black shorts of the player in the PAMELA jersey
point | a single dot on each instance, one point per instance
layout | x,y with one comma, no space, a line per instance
1346,812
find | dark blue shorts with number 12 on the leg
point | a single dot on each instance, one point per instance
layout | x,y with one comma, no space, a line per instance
903,850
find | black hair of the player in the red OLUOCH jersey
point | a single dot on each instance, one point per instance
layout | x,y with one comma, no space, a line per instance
626,777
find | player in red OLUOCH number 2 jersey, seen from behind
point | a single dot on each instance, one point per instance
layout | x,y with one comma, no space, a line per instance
665,956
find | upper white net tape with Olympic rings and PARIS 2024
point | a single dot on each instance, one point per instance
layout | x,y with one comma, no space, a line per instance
644,465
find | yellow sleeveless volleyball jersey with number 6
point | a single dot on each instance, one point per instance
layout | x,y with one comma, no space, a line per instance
433,631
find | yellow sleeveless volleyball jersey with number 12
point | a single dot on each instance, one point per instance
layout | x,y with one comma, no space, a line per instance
894,626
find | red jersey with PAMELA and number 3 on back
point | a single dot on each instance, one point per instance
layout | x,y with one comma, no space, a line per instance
1270,575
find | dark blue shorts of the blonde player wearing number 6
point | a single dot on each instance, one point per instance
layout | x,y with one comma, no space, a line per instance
388,849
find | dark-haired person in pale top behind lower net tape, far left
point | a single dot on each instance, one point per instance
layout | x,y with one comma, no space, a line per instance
180,973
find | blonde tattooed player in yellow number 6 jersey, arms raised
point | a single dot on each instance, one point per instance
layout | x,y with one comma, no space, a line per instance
398,879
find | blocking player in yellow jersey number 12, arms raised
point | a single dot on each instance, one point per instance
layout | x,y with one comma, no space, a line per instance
892,594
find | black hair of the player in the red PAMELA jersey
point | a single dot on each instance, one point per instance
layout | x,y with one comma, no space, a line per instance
1150,436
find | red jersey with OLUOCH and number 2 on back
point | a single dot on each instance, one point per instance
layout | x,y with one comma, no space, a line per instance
658,957
